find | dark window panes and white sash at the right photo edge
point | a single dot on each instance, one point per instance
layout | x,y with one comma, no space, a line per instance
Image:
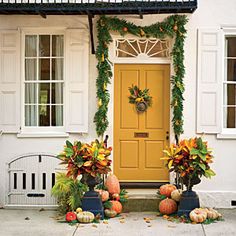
229,84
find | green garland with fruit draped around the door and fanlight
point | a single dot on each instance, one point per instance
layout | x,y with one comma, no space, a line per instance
174,27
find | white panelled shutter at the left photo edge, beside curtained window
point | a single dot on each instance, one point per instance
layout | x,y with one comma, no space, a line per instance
10,81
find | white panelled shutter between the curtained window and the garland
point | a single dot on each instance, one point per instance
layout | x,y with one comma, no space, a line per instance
76,81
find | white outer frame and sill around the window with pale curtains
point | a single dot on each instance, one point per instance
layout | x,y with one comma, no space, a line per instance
37,131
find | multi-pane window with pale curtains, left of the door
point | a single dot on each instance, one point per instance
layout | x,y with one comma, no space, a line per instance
43,80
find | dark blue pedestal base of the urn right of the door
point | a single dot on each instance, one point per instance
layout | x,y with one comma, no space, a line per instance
189,200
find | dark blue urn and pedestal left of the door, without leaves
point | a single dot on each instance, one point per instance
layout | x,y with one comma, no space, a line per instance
91,200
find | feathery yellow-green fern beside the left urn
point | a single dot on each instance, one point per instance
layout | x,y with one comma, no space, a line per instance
68,193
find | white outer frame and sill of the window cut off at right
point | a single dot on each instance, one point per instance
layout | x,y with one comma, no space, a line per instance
227,133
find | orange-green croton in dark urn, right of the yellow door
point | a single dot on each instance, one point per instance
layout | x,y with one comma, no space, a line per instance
191,160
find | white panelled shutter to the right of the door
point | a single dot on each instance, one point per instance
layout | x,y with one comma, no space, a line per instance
210,77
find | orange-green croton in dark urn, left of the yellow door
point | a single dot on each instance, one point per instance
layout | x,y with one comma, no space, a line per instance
90,161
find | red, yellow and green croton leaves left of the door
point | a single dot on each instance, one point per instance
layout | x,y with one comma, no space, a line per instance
82,158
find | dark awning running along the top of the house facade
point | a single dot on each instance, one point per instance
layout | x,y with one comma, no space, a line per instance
96,7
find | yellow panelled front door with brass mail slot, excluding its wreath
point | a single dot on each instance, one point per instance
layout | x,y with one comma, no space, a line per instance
139,138
